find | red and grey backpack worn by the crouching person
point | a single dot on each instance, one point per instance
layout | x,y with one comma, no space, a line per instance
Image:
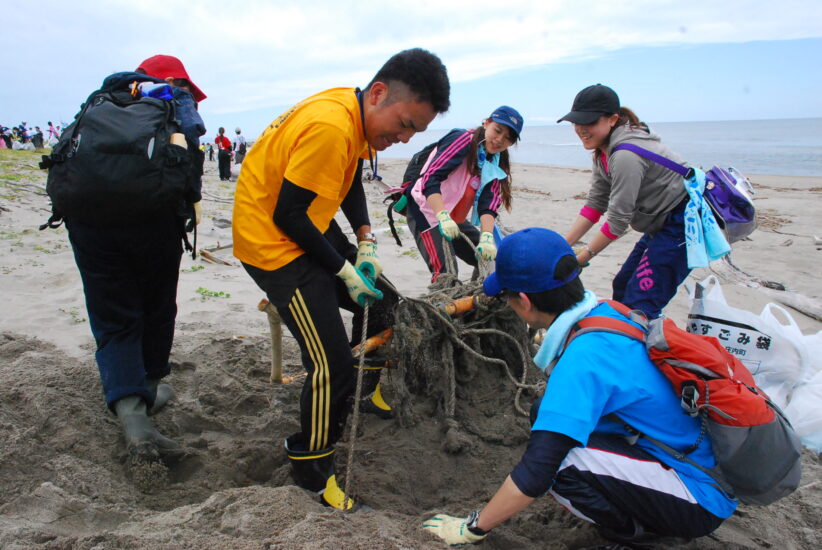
758,454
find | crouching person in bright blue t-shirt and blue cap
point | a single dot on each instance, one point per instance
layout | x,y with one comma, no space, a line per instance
577,452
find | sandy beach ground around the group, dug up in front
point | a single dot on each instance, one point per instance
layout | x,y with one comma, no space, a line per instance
63,479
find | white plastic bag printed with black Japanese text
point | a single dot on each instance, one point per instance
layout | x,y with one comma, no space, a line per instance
773,349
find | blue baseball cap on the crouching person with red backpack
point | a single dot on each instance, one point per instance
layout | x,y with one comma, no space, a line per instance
526,261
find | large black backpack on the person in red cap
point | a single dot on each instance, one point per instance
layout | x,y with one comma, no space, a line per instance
116,164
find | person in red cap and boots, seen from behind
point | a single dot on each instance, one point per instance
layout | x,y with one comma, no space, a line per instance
130,275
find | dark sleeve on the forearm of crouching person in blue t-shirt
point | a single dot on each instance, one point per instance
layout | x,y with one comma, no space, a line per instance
537,468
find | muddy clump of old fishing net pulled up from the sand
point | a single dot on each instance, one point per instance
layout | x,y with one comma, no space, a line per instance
471,371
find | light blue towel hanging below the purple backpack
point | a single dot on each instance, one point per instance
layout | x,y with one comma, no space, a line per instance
704,239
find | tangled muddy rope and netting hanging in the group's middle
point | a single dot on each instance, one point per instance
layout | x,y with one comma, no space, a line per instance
430,348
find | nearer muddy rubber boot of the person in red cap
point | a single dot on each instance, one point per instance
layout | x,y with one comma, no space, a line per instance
143,441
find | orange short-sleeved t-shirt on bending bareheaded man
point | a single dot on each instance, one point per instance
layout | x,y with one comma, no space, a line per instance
316,145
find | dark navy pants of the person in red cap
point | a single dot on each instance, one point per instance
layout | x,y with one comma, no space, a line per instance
130,282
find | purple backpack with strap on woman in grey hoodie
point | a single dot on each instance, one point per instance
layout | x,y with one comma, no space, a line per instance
726,190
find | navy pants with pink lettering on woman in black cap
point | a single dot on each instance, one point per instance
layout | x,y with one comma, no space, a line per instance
655,267
